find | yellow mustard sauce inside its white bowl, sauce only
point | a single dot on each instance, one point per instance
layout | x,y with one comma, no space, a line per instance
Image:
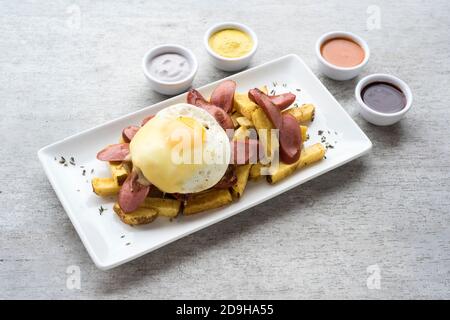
231,43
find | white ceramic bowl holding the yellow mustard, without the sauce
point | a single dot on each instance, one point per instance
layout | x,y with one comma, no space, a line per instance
230,64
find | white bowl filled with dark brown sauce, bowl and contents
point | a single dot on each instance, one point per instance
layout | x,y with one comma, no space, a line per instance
383,99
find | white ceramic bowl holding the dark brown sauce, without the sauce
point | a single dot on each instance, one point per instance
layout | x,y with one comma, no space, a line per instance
379,118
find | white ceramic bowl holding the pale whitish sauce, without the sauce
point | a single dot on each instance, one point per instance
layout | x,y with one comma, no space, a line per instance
170,87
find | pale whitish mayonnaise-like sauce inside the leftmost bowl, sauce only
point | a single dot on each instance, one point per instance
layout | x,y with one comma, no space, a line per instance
169,67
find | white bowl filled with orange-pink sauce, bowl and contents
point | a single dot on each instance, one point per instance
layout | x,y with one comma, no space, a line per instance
341,55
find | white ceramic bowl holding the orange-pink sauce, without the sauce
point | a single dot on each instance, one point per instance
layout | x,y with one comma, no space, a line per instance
340,73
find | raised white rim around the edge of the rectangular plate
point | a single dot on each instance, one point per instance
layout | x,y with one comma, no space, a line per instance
104,265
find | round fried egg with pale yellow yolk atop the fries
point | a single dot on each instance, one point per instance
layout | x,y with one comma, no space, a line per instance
183,149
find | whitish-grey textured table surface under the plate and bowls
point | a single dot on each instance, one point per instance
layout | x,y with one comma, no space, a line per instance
67,66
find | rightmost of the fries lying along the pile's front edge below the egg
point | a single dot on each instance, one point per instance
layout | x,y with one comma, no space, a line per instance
206,201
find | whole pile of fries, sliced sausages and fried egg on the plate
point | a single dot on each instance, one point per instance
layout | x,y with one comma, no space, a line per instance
199,155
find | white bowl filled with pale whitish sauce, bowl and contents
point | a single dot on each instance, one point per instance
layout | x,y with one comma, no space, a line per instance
170,69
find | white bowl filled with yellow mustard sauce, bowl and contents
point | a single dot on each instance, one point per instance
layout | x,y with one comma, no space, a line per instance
230,45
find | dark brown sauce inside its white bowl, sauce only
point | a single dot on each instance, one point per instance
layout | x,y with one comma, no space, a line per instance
383,97
